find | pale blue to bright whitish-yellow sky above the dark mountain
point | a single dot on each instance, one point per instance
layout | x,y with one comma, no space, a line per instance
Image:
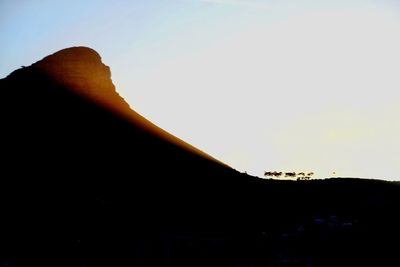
289,85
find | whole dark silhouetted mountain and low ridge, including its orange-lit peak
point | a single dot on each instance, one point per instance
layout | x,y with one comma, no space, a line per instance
86,181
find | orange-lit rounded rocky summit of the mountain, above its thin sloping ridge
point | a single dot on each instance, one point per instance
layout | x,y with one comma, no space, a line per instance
81,69
